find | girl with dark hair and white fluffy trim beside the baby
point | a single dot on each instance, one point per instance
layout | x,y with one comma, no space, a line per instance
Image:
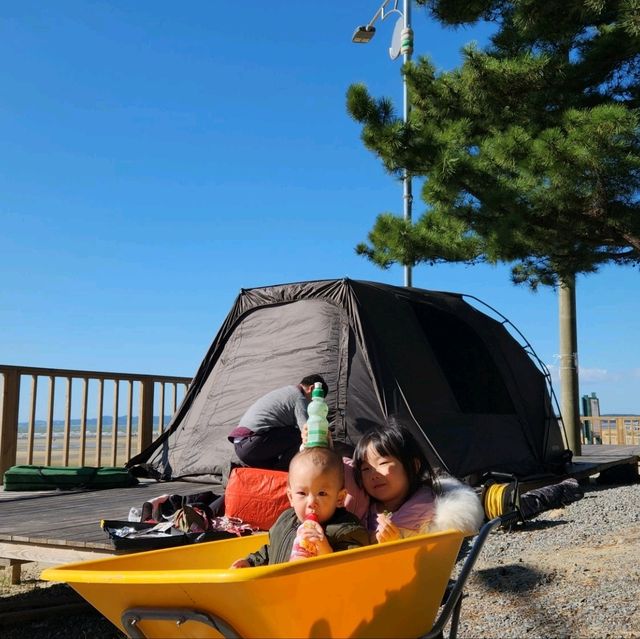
405,496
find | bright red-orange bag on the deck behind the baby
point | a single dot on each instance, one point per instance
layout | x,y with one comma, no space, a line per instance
256,495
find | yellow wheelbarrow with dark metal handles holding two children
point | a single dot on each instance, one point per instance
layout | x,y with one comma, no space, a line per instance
389,590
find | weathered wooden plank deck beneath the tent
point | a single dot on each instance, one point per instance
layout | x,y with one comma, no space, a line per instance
59,527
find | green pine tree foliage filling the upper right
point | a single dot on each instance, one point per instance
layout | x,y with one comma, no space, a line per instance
530,149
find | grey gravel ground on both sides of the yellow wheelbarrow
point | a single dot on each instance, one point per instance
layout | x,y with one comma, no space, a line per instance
569,573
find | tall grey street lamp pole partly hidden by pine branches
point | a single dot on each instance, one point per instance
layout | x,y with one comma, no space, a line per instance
401,43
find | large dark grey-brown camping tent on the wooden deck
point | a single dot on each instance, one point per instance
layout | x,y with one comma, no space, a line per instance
470,392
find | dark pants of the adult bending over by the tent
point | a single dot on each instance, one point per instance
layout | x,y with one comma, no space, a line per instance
271,449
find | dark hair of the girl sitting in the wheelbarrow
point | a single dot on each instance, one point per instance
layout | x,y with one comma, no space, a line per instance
395,440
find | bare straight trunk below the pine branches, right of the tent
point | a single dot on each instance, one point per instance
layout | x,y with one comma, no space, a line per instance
569,393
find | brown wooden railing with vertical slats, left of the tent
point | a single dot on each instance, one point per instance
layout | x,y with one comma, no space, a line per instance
68,427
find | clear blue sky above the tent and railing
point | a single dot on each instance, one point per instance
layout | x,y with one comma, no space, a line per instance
156,157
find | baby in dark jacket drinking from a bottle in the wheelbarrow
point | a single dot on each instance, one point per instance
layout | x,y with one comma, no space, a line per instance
315,485
